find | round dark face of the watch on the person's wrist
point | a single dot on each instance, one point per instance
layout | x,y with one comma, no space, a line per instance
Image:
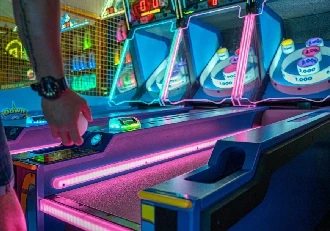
49,88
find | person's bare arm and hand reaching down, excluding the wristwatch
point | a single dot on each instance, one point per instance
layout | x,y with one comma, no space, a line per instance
38,23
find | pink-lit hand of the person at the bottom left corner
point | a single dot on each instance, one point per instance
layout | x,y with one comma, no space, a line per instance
12,217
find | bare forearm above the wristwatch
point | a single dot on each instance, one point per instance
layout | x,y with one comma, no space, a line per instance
38,23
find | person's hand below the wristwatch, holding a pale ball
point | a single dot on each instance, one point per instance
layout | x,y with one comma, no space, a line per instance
62,115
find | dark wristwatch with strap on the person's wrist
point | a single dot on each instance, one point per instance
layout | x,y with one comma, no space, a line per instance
50,87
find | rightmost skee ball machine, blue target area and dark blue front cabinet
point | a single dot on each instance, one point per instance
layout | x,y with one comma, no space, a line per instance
276,176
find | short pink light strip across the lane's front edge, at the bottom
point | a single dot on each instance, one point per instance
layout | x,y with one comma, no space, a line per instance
77,218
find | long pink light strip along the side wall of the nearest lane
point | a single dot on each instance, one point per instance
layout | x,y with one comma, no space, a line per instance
112,169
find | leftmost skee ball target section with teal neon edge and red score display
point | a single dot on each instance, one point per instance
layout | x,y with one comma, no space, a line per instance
151,38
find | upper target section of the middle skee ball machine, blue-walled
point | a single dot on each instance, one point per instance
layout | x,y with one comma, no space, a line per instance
211,58
